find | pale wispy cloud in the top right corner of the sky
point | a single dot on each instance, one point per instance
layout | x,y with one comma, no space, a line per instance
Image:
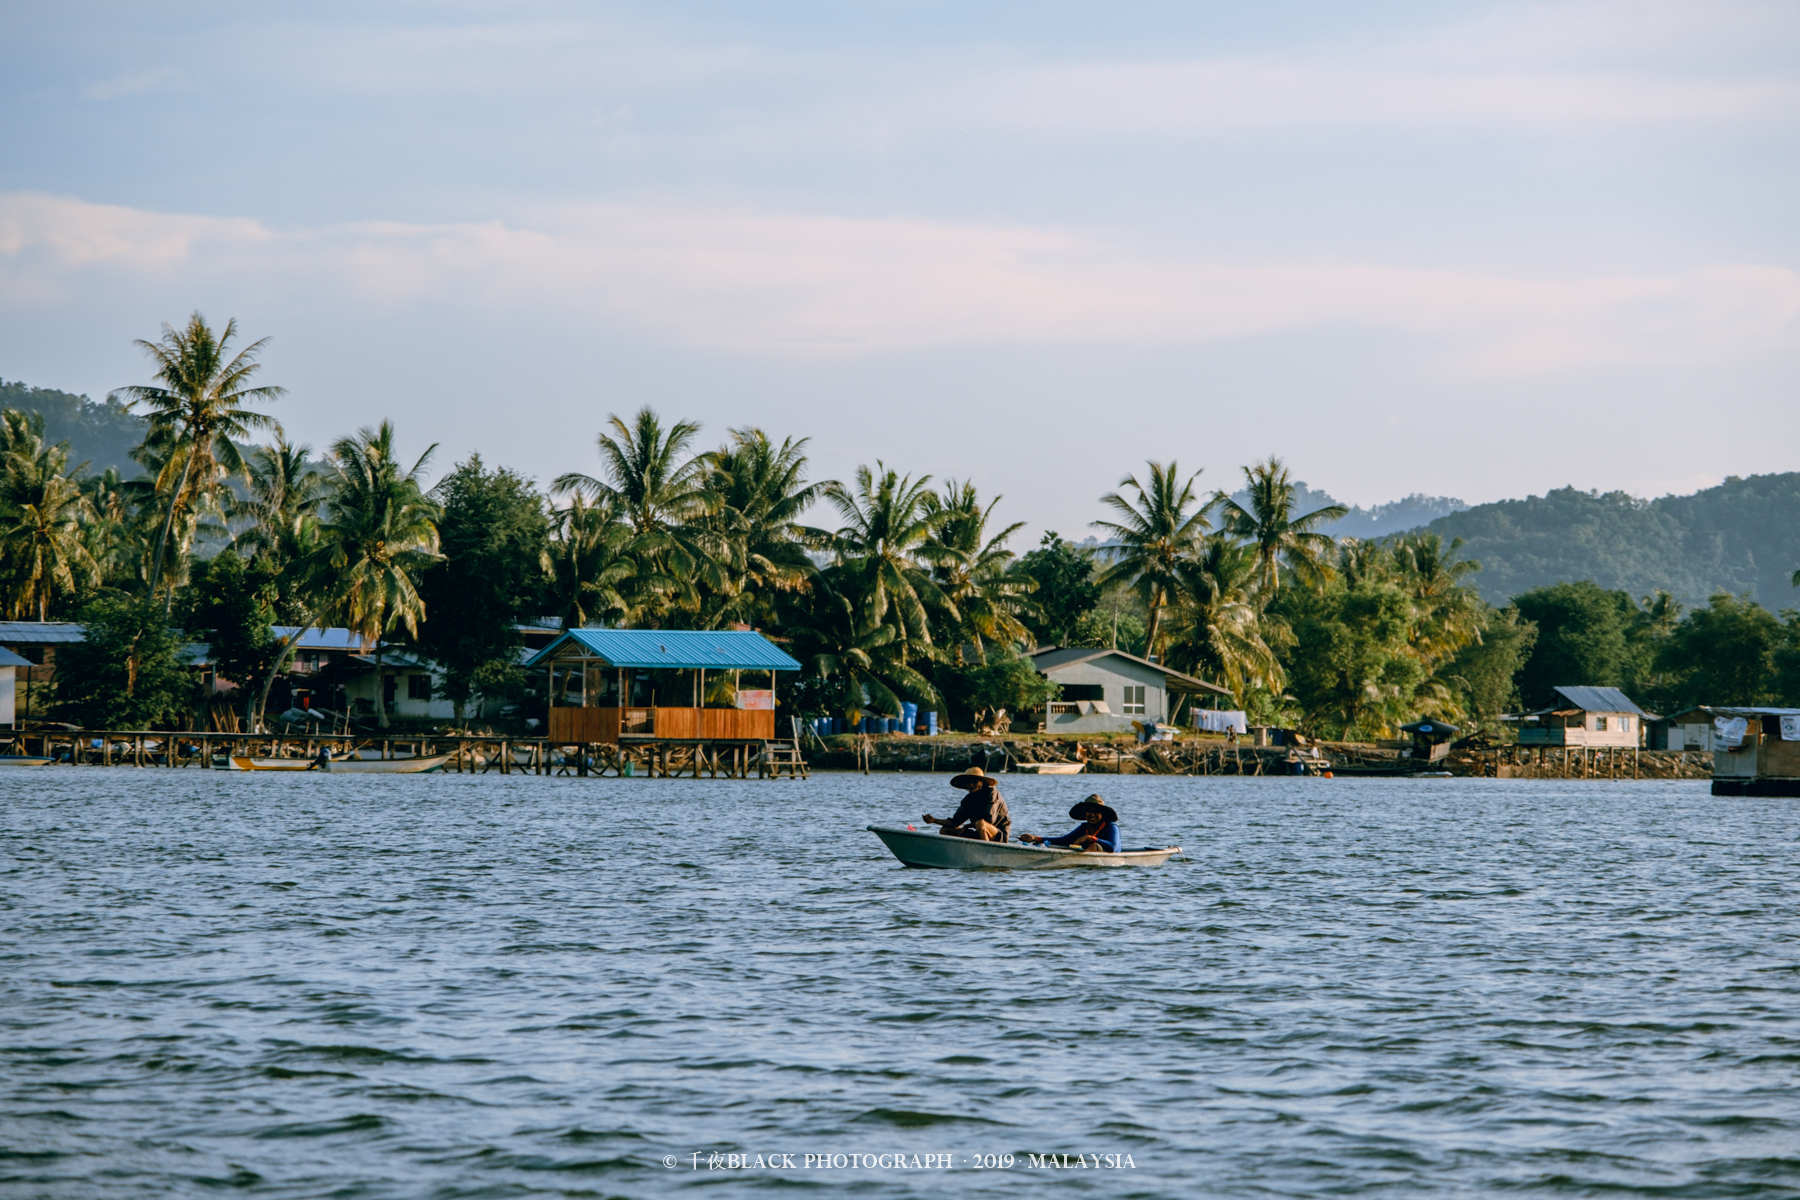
1578,66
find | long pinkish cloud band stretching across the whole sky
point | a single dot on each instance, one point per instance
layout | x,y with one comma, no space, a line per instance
804,285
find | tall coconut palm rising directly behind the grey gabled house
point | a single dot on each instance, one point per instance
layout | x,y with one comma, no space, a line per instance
1153,537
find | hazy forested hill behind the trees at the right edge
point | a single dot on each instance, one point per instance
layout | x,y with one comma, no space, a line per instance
1740,537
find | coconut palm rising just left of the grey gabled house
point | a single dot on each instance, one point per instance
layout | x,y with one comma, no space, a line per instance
973,569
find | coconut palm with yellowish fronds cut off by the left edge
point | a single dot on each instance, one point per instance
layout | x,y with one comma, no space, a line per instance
42,519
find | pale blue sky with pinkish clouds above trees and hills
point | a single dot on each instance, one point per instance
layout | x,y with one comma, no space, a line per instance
1453,249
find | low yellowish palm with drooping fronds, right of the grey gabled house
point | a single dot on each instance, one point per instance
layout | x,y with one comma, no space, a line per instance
1216,629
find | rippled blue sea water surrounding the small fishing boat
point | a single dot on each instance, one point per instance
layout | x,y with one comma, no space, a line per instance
478,987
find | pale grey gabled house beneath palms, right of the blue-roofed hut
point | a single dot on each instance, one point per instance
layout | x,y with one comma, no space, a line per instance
1106,690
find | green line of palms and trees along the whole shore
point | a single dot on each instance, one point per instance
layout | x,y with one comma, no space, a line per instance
908,591
